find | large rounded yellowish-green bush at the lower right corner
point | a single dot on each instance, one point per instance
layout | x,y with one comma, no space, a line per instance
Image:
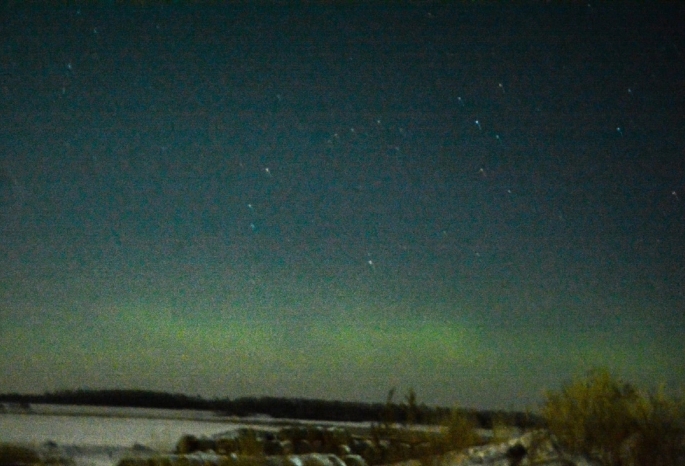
615,424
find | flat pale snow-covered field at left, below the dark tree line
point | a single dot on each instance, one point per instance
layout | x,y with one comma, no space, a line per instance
100,436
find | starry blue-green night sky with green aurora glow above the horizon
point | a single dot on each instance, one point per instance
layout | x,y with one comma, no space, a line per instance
477,201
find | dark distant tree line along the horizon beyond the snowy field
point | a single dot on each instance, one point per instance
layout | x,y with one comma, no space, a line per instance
408,412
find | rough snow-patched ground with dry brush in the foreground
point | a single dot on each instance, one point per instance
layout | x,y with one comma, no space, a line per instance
321,447
